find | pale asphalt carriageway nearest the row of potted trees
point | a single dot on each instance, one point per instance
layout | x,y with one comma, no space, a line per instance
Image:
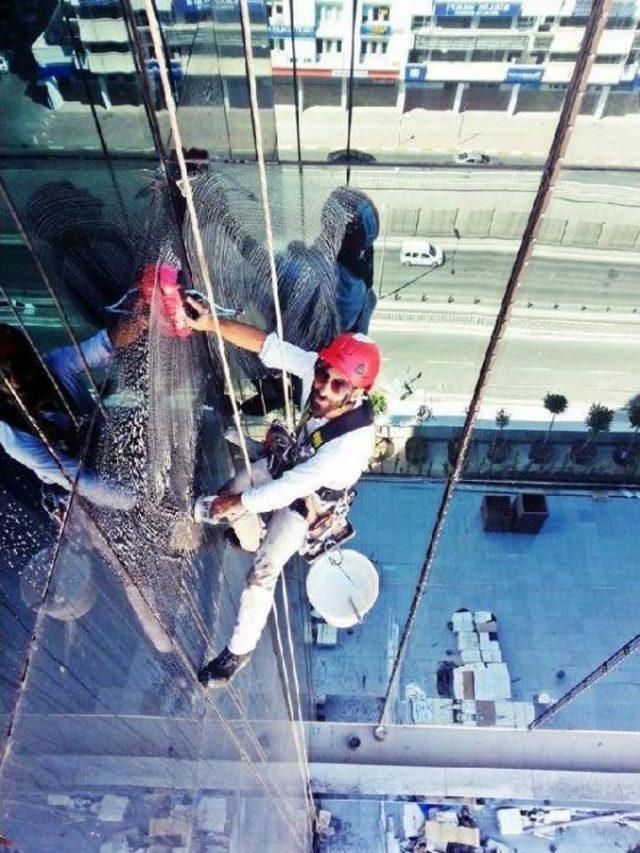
583,369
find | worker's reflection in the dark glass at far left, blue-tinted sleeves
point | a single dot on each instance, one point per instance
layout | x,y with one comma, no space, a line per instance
25,385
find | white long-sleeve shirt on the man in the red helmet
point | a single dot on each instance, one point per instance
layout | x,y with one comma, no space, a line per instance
337,464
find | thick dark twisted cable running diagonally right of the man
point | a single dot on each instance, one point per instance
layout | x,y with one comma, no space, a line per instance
573,99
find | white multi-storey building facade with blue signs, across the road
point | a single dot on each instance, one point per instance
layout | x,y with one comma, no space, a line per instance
509,57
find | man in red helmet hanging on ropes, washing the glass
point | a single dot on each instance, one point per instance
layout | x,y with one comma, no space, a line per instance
304,480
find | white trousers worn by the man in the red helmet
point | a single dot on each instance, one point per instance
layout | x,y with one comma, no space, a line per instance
285,534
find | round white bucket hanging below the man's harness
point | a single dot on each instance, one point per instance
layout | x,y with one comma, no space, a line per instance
343,586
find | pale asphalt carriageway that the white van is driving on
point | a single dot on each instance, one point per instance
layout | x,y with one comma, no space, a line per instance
467,276
